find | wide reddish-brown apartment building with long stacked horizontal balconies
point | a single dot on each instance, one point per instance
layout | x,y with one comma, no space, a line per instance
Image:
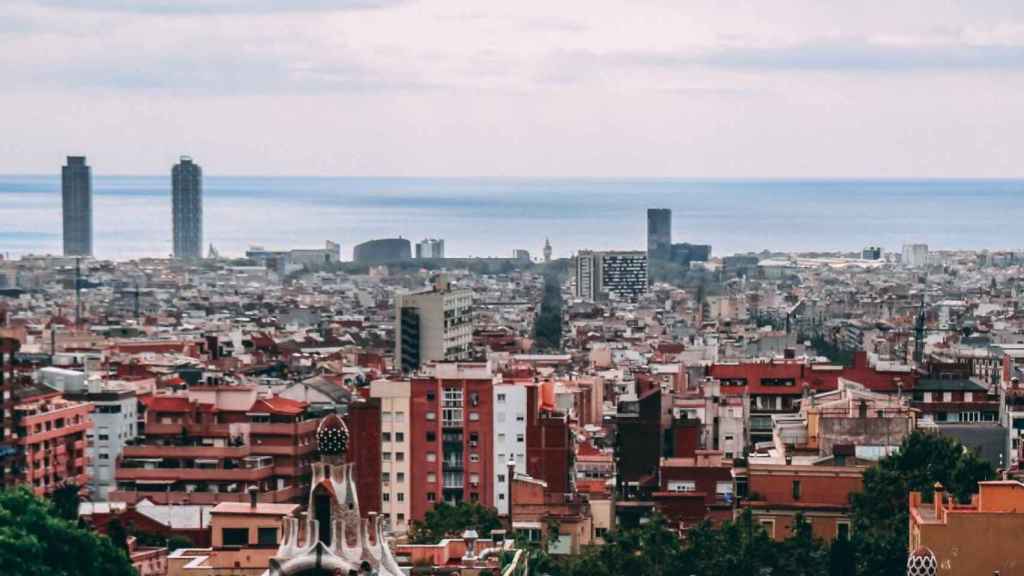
210,444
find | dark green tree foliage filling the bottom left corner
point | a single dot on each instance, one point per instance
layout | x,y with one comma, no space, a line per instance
36,542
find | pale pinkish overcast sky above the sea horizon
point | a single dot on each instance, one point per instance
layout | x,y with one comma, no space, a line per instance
565,89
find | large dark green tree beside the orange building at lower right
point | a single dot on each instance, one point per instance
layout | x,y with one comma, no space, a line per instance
880,512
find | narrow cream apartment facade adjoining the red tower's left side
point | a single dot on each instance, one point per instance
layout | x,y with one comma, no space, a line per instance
396,456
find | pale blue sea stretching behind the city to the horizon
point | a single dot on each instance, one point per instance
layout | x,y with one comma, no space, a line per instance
495,217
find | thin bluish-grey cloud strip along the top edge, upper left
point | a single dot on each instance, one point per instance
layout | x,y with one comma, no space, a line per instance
218,7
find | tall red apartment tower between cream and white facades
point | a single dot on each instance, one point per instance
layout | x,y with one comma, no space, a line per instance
452,430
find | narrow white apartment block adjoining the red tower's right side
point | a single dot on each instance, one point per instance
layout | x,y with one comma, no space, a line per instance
510,438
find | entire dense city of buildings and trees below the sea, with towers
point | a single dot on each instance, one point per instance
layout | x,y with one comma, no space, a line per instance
661,410
